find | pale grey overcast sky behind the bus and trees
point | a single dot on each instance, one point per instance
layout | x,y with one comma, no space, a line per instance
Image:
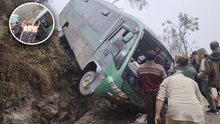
160,10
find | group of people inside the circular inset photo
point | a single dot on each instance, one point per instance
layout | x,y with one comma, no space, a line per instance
27,31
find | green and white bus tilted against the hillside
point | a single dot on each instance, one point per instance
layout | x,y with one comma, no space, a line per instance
104,41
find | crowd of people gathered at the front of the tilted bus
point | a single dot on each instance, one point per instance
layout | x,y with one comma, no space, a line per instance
191,80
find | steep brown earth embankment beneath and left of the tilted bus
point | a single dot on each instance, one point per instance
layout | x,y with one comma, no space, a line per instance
39,85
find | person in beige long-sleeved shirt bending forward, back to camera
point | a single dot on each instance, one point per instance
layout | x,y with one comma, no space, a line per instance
185,104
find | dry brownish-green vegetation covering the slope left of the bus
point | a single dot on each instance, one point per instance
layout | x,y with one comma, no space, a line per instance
24,69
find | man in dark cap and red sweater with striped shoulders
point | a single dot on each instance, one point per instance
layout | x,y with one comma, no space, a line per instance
149,77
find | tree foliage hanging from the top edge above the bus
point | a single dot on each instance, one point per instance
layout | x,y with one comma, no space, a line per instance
139,4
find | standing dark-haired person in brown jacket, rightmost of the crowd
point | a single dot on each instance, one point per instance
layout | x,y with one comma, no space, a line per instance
211,70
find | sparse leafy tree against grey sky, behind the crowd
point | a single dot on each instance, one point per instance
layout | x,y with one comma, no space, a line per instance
175,36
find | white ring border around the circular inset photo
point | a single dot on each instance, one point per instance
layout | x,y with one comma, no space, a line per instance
37,42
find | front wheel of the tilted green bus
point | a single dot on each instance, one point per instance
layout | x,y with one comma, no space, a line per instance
86,80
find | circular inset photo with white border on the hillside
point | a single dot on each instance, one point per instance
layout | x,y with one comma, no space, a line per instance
31,23
